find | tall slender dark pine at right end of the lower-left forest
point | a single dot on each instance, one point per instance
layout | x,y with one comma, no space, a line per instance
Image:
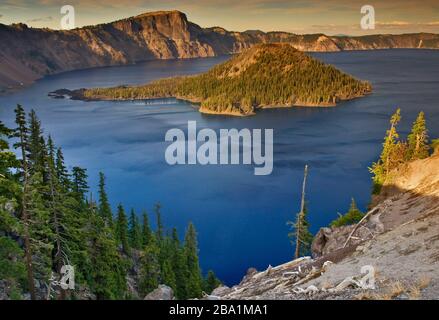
194,280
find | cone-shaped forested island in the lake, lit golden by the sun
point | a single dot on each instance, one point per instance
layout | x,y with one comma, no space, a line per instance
266,75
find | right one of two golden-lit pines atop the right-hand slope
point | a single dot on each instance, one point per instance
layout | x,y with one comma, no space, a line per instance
418,144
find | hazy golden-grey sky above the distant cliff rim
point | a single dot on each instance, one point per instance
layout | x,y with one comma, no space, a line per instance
331,17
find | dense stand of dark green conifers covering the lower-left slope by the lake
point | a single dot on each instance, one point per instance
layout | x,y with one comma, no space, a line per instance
45,207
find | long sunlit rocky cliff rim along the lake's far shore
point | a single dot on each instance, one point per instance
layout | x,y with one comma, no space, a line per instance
27,53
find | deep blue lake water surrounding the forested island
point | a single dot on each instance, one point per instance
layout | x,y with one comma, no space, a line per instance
240,218
